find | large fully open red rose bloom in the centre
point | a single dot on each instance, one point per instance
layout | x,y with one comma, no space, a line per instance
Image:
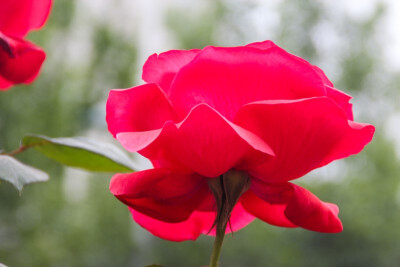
256,109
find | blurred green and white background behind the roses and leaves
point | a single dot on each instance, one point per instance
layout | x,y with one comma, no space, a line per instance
93,46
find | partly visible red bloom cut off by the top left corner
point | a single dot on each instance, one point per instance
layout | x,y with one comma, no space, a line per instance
20,60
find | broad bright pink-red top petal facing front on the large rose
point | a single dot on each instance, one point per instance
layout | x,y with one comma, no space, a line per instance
240,75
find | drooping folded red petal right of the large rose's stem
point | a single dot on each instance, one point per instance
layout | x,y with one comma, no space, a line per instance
289,205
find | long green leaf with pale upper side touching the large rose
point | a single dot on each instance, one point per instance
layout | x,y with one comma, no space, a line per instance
82,153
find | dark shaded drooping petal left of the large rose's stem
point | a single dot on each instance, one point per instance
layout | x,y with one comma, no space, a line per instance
160,193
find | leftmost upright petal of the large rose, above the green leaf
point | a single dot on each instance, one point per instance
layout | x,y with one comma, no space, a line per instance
141,108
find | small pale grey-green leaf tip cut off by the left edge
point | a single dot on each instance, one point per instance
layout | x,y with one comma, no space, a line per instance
19,174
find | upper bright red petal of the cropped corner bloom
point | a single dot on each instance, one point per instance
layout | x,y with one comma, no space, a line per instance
17,17
